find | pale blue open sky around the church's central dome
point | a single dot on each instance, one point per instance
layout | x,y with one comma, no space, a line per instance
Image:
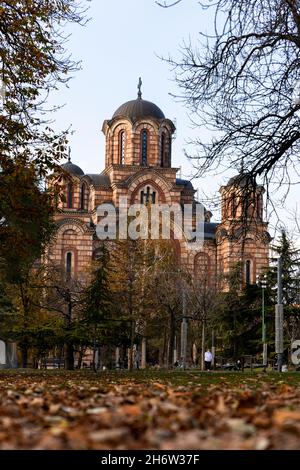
123,41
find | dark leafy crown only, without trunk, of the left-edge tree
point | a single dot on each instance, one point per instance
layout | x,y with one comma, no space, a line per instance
26,224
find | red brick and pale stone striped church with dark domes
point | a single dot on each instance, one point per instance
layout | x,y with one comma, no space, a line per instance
138,167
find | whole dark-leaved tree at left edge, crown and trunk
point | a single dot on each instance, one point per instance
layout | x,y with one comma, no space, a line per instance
26,227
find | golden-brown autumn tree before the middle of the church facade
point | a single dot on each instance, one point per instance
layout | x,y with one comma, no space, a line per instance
141,273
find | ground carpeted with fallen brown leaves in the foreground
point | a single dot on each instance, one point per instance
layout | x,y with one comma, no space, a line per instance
149,410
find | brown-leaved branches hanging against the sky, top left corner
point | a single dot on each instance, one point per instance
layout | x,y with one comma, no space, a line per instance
33,61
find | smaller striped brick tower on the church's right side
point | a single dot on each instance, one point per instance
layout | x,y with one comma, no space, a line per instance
242,235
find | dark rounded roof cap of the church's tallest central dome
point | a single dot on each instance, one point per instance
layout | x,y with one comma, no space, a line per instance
139,108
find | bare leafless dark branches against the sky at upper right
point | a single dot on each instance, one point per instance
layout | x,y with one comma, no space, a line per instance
240,84
